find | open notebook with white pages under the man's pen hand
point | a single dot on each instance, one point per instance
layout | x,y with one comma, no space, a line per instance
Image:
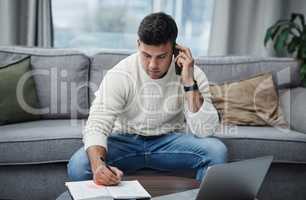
88,190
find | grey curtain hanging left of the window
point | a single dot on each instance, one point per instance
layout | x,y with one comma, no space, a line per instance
26,22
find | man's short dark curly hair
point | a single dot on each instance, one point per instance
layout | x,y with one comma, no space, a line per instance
157,28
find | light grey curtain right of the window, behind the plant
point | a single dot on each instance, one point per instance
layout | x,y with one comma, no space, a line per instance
239,26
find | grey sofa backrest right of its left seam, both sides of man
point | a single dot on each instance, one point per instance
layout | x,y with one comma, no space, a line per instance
218,69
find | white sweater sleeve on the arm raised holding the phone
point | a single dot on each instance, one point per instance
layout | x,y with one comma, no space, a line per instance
205,121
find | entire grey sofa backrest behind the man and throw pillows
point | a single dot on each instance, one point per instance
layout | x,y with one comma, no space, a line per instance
67,79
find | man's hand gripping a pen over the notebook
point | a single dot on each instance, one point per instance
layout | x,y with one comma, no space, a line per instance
103,176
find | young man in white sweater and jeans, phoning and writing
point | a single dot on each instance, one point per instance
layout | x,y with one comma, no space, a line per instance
142,110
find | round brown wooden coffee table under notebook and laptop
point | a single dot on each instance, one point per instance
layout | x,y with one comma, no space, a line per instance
156,185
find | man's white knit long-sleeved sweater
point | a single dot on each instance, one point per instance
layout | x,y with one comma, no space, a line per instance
129,101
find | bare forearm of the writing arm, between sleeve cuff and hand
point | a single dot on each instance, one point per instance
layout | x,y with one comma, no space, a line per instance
94,154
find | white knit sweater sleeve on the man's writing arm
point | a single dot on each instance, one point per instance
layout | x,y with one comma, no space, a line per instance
108,104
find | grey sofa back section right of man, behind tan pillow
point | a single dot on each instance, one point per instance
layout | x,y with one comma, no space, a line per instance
221,69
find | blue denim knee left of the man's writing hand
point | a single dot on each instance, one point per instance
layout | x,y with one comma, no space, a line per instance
78,167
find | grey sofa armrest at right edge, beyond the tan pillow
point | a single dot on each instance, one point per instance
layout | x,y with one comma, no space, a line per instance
298,109
